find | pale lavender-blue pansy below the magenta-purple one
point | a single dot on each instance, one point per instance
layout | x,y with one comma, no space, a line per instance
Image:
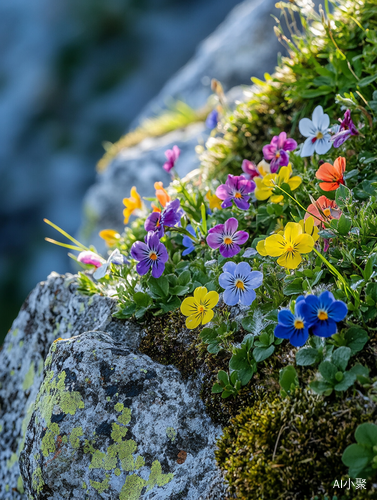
239,282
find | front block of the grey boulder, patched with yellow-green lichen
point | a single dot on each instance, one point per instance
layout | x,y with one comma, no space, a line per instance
109,422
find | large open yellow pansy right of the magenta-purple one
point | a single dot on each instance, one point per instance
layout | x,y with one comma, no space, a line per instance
290,246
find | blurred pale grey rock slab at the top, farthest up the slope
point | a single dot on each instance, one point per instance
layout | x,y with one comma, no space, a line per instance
244,45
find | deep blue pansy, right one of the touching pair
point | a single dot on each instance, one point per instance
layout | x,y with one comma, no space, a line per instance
324,312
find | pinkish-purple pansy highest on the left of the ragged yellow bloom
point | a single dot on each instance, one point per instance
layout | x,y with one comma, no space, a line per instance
236,188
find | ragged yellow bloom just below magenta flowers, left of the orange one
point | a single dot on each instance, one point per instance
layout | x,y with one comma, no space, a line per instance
265,186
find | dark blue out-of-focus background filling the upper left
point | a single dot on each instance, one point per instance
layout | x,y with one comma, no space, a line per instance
74,74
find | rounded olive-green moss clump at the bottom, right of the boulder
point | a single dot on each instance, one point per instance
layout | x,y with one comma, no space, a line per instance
291,443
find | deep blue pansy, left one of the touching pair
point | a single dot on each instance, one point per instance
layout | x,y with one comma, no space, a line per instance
294,327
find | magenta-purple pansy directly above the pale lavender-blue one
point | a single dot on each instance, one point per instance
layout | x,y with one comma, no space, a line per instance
226,238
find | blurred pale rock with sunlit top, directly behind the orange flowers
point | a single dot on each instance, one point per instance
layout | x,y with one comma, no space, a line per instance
139,166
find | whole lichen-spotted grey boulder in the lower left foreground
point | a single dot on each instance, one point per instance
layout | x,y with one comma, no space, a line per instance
92,411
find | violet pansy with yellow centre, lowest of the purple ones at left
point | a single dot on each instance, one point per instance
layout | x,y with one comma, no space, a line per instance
151,254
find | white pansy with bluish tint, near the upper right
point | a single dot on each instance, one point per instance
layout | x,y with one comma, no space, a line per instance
316,130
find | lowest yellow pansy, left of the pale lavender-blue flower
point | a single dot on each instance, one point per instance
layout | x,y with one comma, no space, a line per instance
199,307
